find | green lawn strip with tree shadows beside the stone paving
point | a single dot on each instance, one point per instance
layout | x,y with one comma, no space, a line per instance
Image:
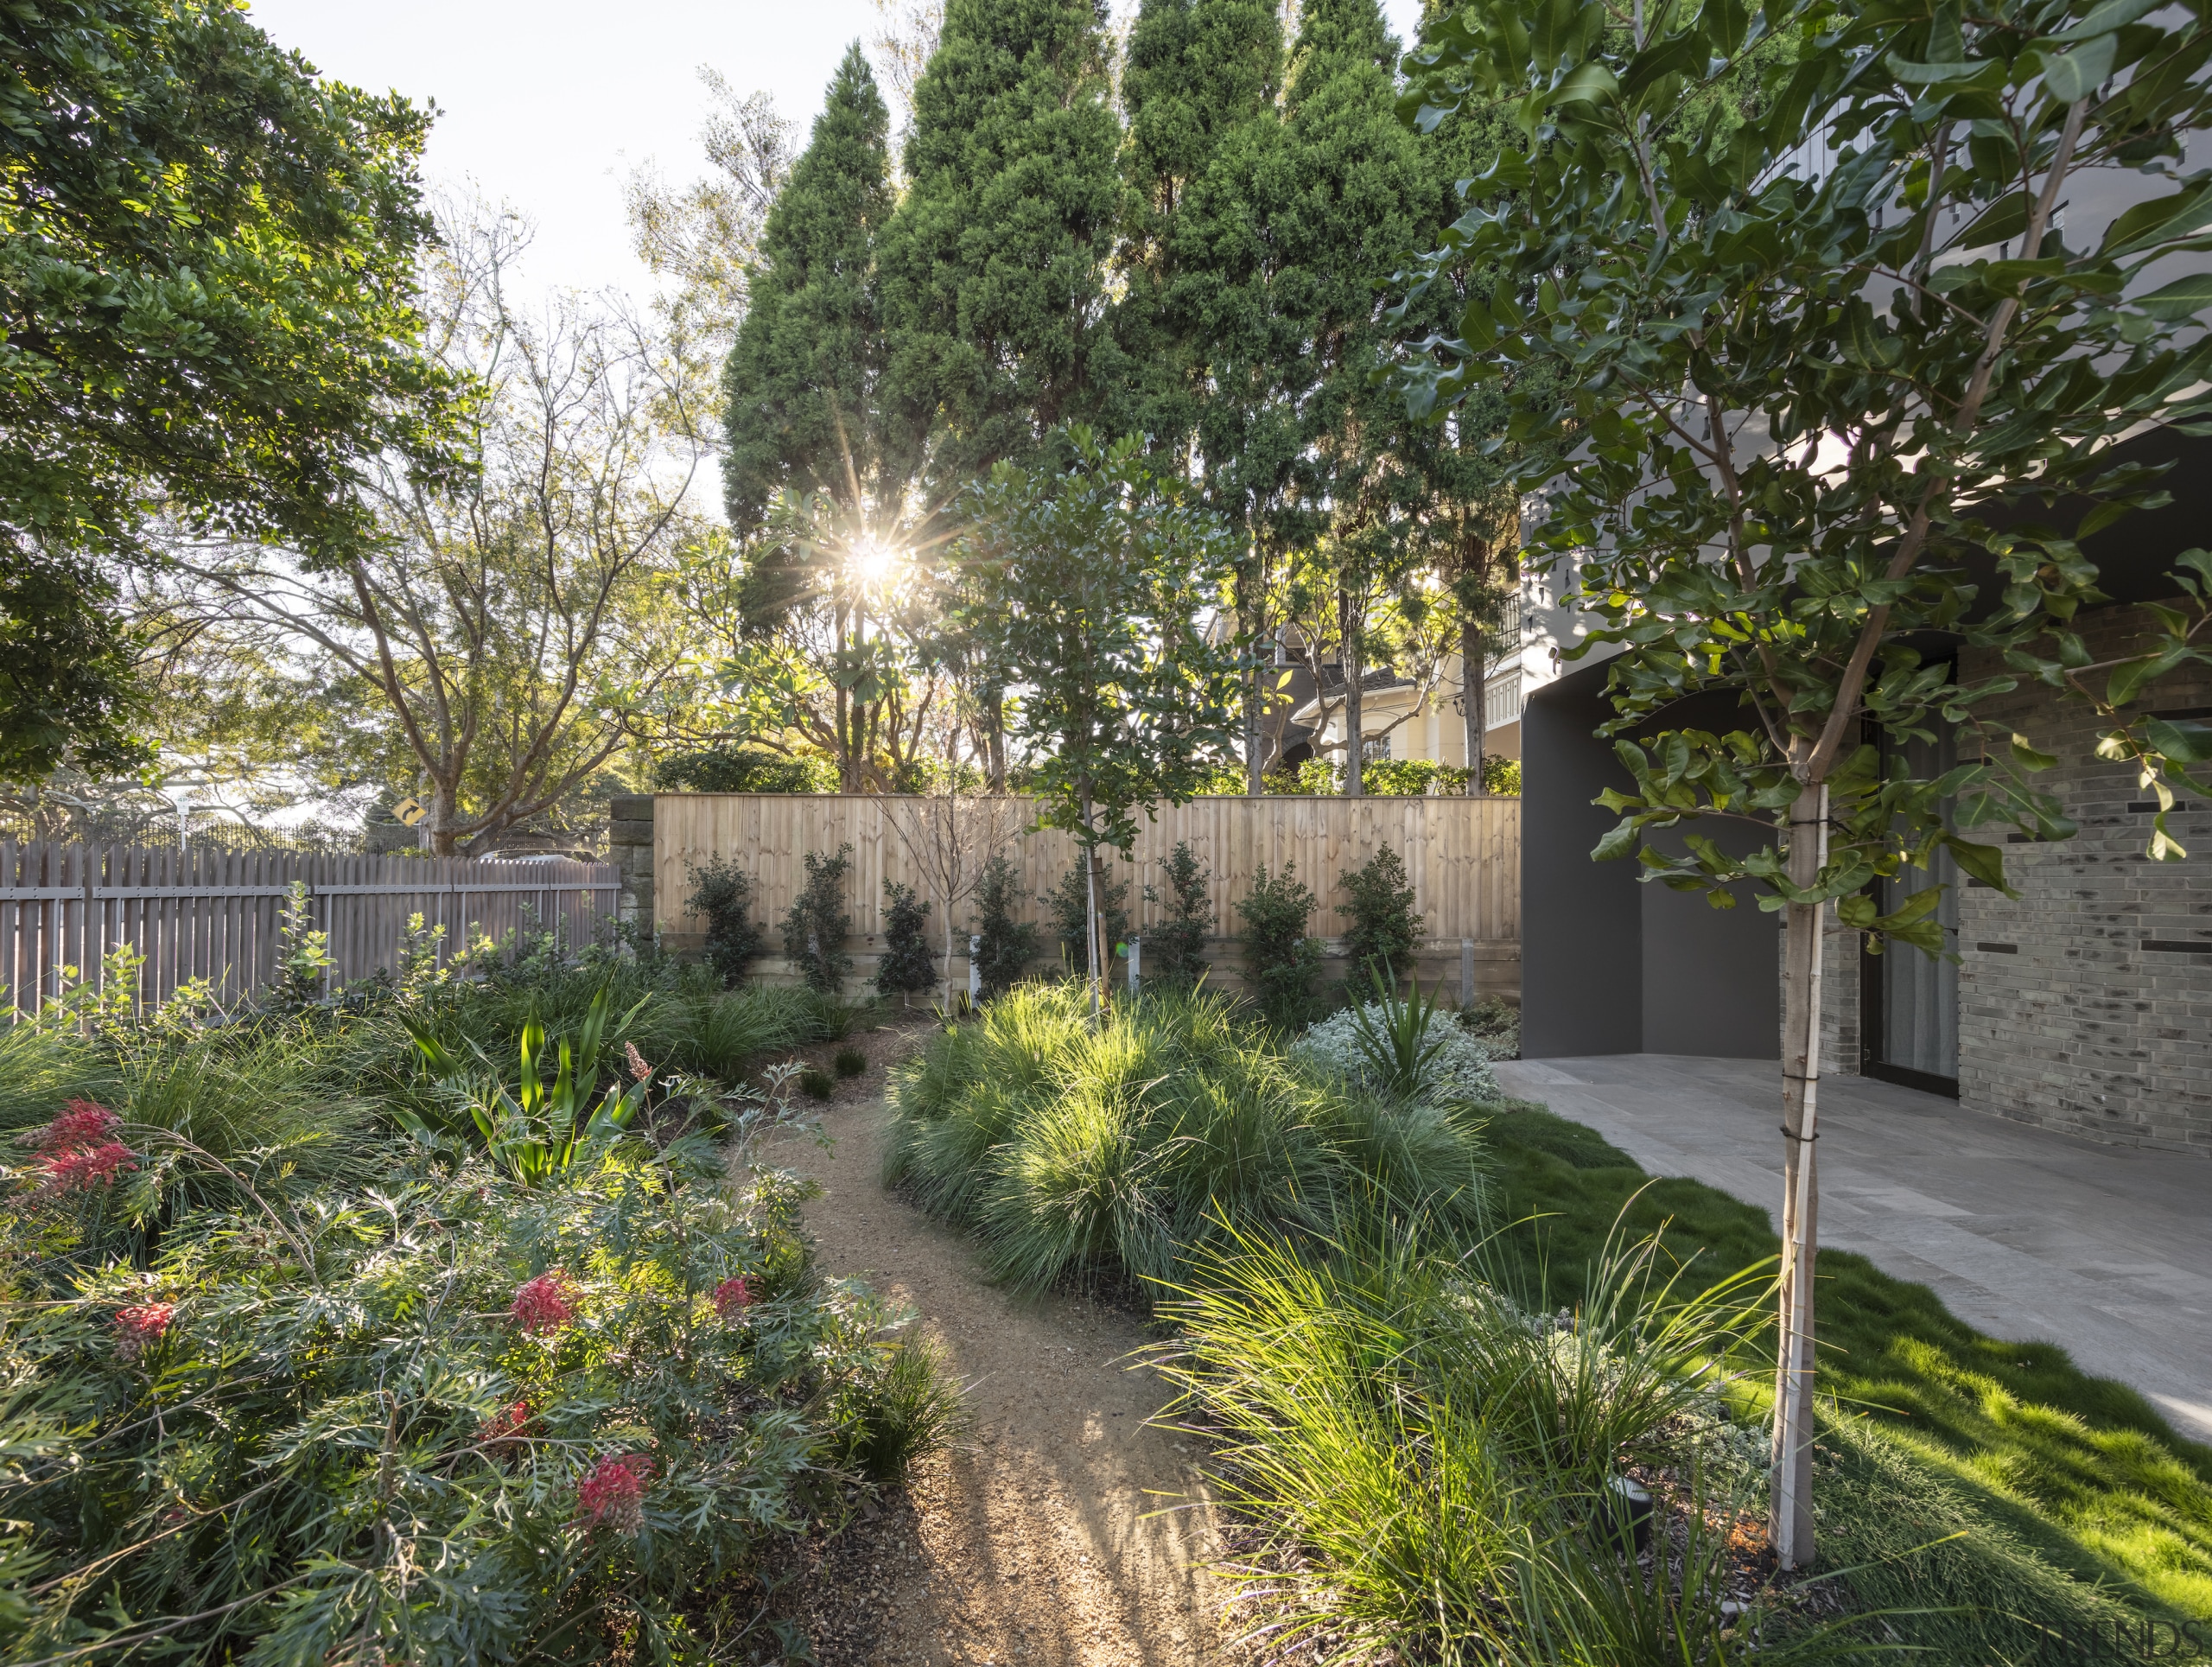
2076,1498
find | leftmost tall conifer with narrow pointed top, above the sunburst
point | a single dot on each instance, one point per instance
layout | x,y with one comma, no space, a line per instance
804,381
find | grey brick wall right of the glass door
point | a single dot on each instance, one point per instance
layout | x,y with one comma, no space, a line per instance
2067,1018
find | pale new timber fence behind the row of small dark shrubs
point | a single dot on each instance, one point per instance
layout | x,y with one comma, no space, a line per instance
1461,855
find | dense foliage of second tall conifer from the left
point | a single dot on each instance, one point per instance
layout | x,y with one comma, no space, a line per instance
994,264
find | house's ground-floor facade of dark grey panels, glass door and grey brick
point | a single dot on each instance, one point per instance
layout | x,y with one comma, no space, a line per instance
2085,1005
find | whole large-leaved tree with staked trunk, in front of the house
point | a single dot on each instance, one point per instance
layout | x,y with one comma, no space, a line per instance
1811,406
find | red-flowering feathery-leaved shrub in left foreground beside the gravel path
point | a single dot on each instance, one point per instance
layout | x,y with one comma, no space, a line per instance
437,1420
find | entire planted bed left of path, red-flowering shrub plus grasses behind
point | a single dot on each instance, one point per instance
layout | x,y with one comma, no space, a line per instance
525,1387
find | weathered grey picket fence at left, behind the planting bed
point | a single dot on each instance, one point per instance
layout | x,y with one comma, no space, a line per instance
218,914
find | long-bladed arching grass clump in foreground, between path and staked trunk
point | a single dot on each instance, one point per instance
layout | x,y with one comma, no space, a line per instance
1426,1469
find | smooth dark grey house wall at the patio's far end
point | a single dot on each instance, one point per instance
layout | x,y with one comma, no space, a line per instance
1611,965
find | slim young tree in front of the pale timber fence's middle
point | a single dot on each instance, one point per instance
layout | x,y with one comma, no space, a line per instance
1094,583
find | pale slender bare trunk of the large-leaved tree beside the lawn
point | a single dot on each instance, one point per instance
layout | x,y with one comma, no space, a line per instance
1791,1505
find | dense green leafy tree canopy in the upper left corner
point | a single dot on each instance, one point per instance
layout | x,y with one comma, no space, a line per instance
207,262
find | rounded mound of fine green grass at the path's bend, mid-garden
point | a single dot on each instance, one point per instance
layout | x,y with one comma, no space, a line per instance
1116,1153
